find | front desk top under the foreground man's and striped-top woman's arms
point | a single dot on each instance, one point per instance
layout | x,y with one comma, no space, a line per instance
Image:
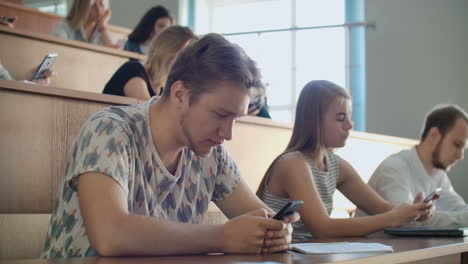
406,250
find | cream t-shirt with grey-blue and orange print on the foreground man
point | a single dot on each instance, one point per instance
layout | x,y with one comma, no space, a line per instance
117,142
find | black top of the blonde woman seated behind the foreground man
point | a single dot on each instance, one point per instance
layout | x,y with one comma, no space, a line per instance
127,71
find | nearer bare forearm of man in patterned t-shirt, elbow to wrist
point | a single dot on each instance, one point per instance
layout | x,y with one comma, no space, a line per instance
141,235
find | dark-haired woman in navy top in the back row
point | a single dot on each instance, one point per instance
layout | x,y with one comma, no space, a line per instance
151,24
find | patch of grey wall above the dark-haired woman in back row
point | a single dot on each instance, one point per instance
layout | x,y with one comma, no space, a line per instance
126,13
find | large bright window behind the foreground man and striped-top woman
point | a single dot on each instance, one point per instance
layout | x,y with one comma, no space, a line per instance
293,42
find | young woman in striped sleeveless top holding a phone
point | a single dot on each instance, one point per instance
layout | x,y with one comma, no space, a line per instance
308,170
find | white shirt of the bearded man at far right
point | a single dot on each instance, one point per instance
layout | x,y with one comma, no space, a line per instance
400,177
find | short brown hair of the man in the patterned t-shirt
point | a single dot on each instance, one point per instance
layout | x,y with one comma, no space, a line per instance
210,60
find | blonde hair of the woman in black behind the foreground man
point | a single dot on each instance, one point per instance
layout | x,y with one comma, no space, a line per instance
163,50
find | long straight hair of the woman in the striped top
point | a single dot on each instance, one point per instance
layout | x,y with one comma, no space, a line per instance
313,103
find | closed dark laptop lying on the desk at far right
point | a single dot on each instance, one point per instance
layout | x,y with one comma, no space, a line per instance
428,231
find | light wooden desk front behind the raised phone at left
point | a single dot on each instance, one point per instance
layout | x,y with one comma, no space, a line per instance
80,66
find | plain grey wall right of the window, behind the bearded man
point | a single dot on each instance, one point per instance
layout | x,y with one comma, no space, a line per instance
416,57
